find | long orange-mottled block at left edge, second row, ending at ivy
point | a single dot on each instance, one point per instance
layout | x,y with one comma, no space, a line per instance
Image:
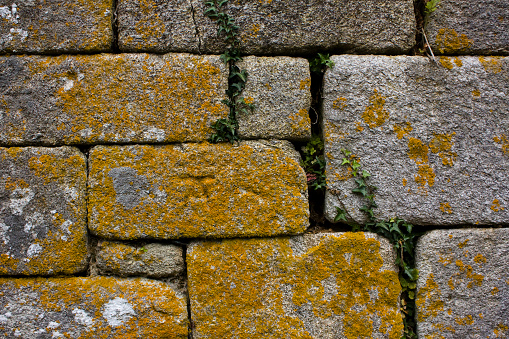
110,98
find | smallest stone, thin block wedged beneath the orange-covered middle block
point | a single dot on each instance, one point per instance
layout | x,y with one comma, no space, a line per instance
151,260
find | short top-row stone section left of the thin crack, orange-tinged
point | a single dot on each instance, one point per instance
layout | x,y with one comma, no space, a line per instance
157,26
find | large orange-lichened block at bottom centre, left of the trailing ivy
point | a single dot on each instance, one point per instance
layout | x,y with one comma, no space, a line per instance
342,285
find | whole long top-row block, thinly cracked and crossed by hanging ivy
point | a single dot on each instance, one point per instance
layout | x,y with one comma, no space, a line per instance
271,27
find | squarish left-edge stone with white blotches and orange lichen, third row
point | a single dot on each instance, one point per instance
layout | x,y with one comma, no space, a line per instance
42,211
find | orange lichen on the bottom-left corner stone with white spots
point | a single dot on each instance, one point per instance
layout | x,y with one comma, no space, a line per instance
157,311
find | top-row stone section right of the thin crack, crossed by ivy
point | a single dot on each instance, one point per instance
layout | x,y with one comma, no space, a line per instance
294,27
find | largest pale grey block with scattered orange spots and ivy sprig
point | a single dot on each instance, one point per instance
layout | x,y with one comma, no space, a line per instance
433,136
